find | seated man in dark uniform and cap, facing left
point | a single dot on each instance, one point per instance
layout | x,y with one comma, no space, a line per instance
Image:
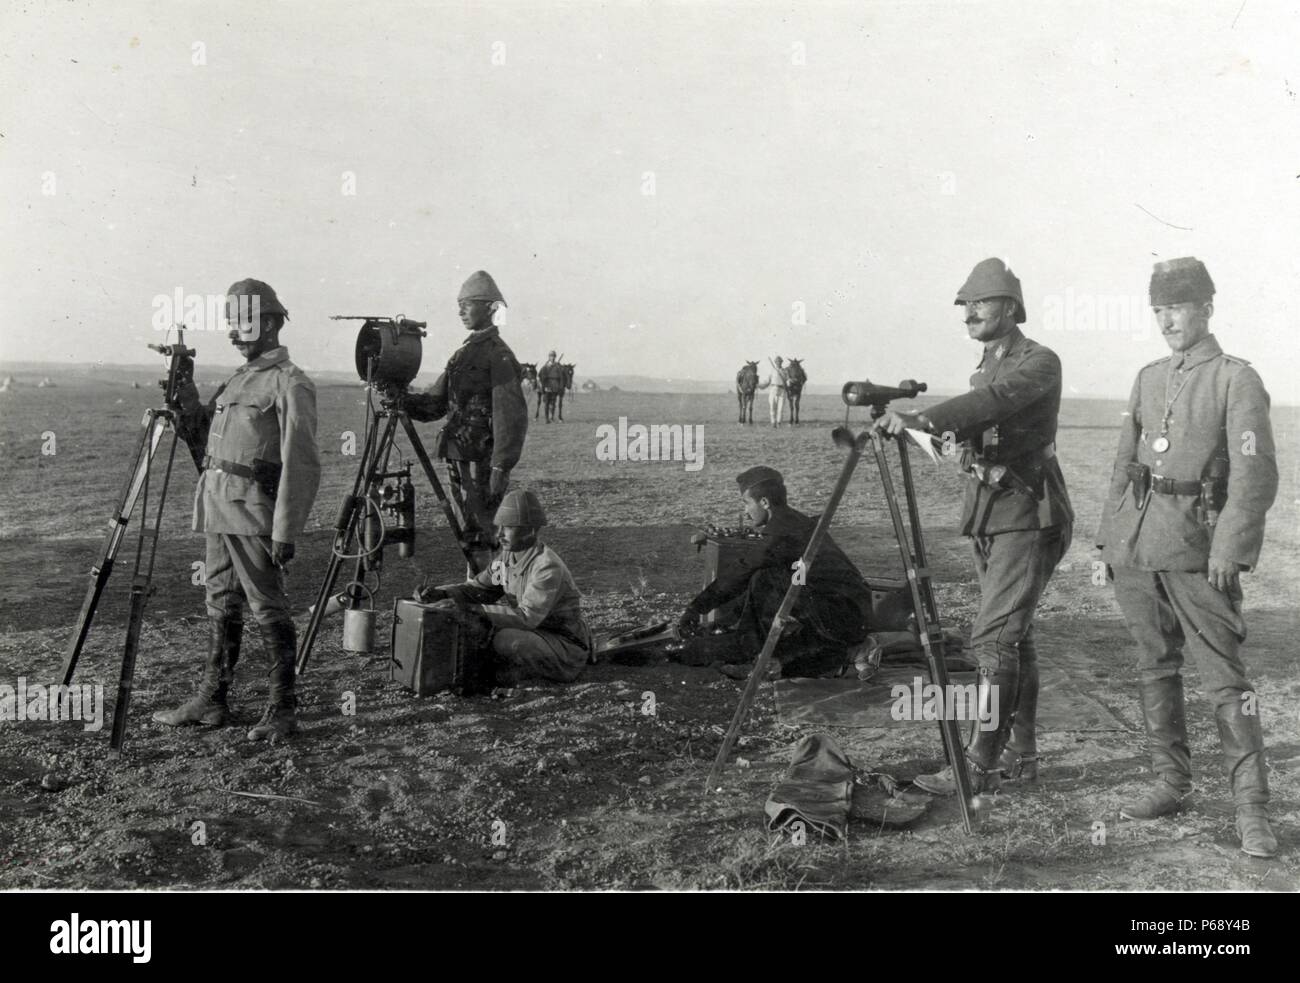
833,612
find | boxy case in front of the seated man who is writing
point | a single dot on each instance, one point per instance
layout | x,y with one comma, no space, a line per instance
430,651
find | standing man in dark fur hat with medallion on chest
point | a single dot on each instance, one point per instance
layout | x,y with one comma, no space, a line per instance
1197,449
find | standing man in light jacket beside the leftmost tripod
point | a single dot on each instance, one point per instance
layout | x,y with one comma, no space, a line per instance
259,479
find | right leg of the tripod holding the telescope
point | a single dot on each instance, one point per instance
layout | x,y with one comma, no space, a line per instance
928,623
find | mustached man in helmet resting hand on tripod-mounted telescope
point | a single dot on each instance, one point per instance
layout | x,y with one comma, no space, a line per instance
1017,513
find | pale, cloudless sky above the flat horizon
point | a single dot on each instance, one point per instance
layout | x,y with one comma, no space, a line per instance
658,189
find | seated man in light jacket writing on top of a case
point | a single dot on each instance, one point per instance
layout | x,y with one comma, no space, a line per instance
526,601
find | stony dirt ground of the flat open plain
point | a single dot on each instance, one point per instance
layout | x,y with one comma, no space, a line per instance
573,787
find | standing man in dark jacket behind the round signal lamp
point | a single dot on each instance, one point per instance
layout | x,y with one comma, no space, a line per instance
482,396
